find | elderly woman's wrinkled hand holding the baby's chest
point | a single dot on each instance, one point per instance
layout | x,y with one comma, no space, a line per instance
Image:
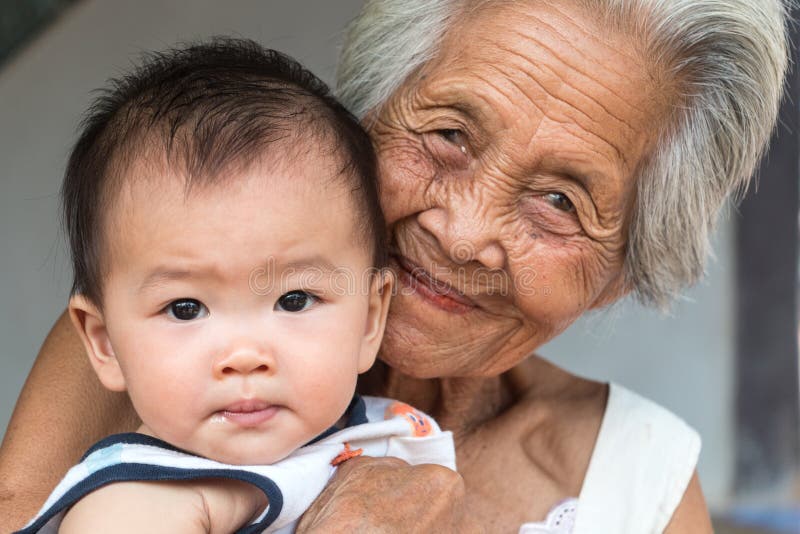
388,495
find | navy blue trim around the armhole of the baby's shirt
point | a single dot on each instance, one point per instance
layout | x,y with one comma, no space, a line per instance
137,472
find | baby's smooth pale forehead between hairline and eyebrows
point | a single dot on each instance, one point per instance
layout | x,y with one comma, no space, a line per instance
303,190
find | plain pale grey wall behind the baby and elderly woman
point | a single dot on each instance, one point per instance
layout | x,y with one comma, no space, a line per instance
684,363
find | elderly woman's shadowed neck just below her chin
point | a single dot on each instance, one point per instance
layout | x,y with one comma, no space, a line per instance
457,404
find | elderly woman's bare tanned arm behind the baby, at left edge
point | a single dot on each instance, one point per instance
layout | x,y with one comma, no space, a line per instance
62,410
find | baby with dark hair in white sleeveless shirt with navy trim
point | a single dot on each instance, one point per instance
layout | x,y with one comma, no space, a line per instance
228,251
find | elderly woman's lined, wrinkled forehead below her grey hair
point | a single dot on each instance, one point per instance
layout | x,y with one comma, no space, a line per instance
546,76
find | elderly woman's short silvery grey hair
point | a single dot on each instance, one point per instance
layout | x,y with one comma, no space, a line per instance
728,59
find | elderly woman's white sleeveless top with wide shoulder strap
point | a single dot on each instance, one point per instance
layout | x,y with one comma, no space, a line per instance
640,468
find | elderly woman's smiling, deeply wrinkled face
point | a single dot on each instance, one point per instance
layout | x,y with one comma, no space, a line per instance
508,171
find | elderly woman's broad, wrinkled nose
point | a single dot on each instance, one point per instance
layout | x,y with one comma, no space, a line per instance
464,235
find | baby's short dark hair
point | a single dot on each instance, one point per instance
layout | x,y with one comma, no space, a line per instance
207,109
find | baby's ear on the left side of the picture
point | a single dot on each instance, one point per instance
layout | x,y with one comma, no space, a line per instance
91,327
